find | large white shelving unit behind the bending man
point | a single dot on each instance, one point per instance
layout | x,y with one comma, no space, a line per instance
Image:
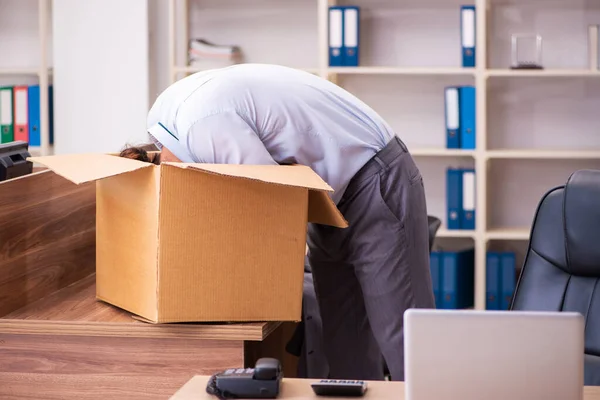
534,127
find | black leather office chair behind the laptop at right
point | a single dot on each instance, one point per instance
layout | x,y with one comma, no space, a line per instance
562,265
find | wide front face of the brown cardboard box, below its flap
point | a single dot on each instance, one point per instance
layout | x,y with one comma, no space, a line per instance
218,260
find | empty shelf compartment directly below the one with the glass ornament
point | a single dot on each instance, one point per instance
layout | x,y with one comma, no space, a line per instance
537,116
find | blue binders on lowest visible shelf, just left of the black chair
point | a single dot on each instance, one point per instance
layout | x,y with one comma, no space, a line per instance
500,283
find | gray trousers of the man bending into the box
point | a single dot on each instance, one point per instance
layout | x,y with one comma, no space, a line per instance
367,275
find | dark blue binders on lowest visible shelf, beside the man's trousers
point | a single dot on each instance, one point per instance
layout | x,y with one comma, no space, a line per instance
453,278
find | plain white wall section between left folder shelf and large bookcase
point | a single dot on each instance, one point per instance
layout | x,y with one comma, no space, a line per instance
101,74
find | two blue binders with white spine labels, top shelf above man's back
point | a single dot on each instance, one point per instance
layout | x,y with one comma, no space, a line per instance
344,24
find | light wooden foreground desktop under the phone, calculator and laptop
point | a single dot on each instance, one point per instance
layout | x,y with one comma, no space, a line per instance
299,389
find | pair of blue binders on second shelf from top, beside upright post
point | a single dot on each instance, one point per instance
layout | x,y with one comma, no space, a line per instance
460,117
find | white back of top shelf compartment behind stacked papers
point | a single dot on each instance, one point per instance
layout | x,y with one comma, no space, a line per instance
268,31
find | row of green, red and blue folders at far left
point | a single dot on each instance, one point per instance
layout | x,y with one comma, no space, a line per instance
20,118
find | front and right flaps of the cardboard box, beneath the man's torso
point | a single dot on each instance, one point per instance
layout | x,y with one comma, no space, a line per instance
321,209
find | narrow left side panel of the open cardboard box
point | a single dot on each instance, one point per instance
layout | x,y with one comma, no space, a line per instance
127,240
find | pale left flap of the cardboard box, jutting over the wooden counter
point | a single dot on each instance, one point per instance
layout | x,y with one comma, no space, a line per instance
81,168
